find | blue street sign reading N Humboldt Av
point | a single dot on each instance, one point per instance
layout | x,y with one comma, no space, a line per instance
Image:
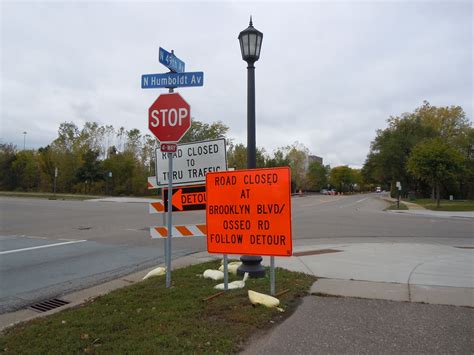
172,80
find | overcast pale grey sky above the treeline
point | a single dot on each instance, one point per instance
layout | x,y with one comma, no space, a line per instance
329,75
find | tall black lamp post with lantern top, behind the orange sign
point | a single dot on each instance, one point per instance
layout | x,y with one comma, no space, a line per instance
250,43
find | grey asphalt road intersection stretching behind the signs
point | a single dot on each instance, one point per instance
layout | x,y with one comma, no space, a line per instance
48,248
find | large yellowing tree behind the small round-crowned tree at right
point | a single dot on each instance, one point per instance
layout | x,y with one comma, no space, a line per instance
390,150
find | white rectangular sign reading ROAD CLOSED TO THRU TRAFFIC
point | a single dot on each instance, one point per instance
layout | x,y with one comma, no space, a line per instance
191,162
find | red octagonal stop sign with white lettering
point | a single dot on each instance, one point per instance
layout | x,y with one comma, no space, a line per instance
169,117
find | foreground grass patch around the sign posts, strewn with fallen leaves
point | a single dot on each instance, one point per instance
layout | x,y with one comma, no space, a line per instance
148,318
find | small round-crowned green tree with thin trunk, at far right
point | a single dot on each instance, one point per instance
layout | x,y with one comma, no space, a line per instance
435,162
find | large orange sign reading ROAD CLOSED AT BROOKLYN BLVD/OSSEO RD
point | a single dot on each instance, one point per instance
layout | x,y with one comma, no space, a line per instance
249,212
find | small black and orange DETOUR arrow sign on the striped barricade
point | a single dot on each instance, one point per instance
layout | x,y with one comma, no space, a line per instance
186,198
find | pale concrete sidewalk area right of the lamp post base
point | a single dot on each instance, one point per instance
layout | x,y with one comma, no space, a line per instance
429,273
